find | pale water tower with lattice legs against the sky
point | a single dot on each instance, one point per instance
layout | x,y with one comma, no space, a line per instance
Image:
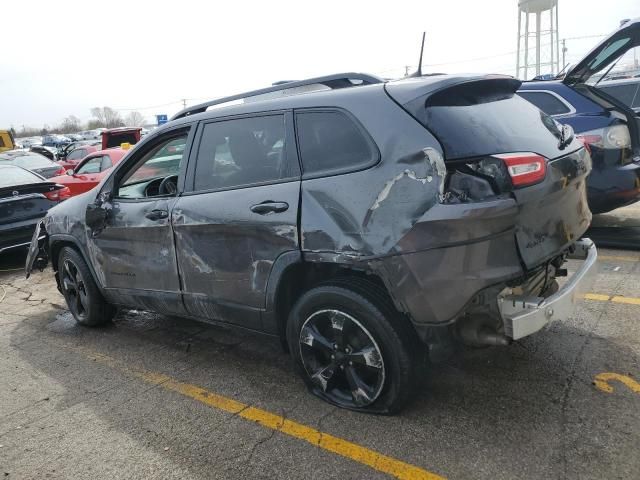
538,47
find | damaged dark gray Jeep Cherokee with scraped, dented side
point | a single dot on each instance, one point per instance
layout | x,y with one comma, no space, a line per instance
365,222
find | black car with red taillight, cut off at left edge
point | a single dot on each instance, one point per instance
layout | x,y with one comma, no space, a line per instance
25,198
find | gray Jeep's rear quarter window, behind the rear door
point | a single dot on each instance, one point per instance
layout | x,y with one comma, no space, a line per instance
331,142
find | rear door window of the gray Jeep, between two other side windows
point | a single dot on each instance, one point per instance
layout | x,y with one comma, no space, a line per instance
242,152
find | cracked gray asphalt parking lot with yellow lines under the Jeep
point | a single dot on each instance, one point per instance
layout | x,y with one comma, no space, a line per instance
153,396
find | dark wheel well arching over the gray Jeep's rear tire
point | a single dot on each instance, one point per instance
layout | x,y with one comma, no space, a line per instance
300,277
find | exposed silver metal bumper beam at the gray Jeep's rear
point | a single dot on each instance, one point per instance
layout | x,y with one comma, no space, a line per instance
524,315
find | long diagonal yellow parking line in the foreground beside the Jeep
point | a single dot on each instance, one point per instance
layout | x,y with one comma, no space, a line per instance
339,446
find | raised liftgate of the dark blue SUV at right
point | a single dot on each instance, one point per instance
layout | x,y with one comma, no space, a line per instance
605,53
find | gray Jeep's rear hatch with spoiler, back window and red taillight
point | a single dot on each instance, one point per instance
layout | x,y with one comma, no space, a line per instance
498,144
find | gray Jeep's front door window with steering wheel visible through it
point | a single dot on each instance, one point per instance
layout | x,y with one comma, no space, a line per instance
156,173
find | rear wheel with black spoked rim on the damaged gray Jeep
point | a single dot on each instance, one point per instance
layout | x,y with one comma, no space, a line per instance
353,349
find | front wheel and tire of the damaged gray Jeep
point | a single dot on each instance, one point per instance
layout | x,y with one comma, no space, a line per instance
85,302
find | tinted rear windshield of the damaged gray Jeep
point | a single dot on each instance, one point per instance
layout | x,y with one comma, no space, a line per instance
506,124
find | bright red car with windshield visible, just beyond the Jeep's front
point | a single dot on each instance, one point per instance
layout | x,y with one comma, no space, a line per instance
90,171
